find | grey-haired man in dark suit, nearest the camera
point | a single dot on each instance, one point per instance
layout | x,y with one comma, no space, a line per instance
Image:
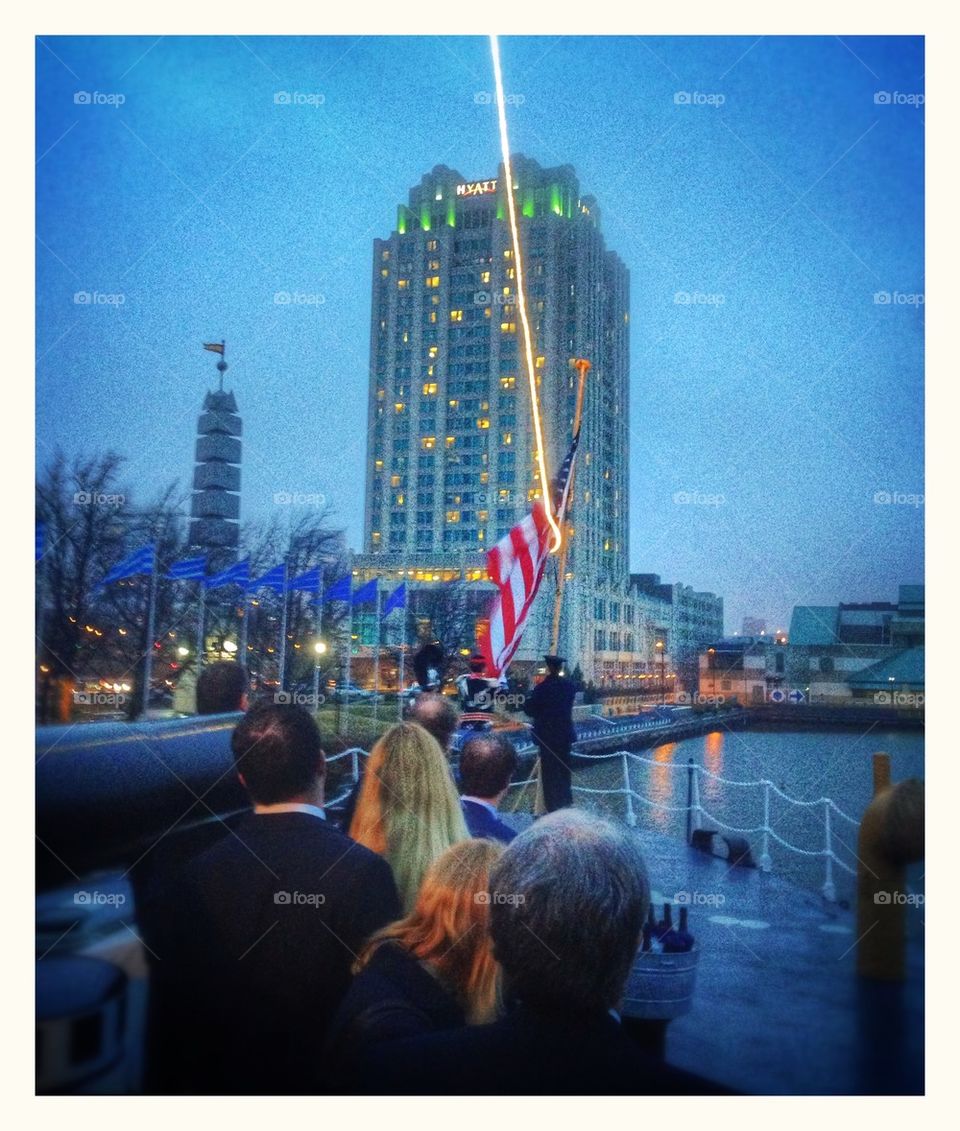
567,906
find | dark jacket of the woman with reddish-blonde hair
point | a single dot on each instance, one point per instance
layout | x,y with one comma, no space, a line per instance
394,997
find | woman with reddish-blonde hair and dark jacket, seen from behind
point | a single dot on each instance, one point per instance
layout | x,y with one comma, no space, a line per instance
429,972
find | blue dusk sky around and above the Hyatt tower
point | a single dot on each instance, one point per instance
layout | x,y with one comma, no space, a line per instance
776,420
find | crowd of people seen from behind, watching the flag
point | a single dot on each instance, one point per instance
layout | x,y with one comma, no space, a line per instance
425,947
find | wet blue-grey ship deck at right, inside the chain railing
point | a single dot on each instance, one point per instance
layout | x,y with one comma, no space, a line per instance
777,1007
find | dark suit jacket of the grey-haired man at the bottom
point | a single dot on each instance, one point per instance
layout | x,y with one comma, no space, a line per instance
527,1054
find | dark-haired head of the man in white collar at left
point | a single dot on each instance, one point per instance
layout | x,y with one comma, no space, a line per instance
278,753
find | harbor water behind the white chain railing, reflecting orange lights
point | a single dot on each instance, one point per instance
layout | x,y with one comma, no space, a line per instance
807,765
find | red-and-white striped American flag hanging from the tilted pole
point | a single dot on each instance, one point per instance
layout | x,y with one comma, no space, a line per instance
516,566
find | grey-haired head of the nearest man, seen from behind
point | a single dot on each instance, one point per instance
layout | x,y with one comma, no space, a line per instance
569,899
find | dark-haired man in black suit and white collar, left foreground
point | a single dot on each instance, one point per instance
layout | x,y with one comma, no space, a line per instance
270,921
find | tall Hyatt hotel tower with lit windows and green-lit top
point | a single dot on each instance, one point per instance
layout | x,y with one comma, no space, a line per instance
453,460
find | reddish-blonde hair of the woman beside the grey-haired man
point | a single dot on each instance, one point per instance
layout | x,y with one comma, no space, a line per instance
448,929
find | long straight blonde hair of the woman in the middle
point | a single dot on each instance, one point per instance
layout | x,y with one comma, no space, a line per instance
409,810
